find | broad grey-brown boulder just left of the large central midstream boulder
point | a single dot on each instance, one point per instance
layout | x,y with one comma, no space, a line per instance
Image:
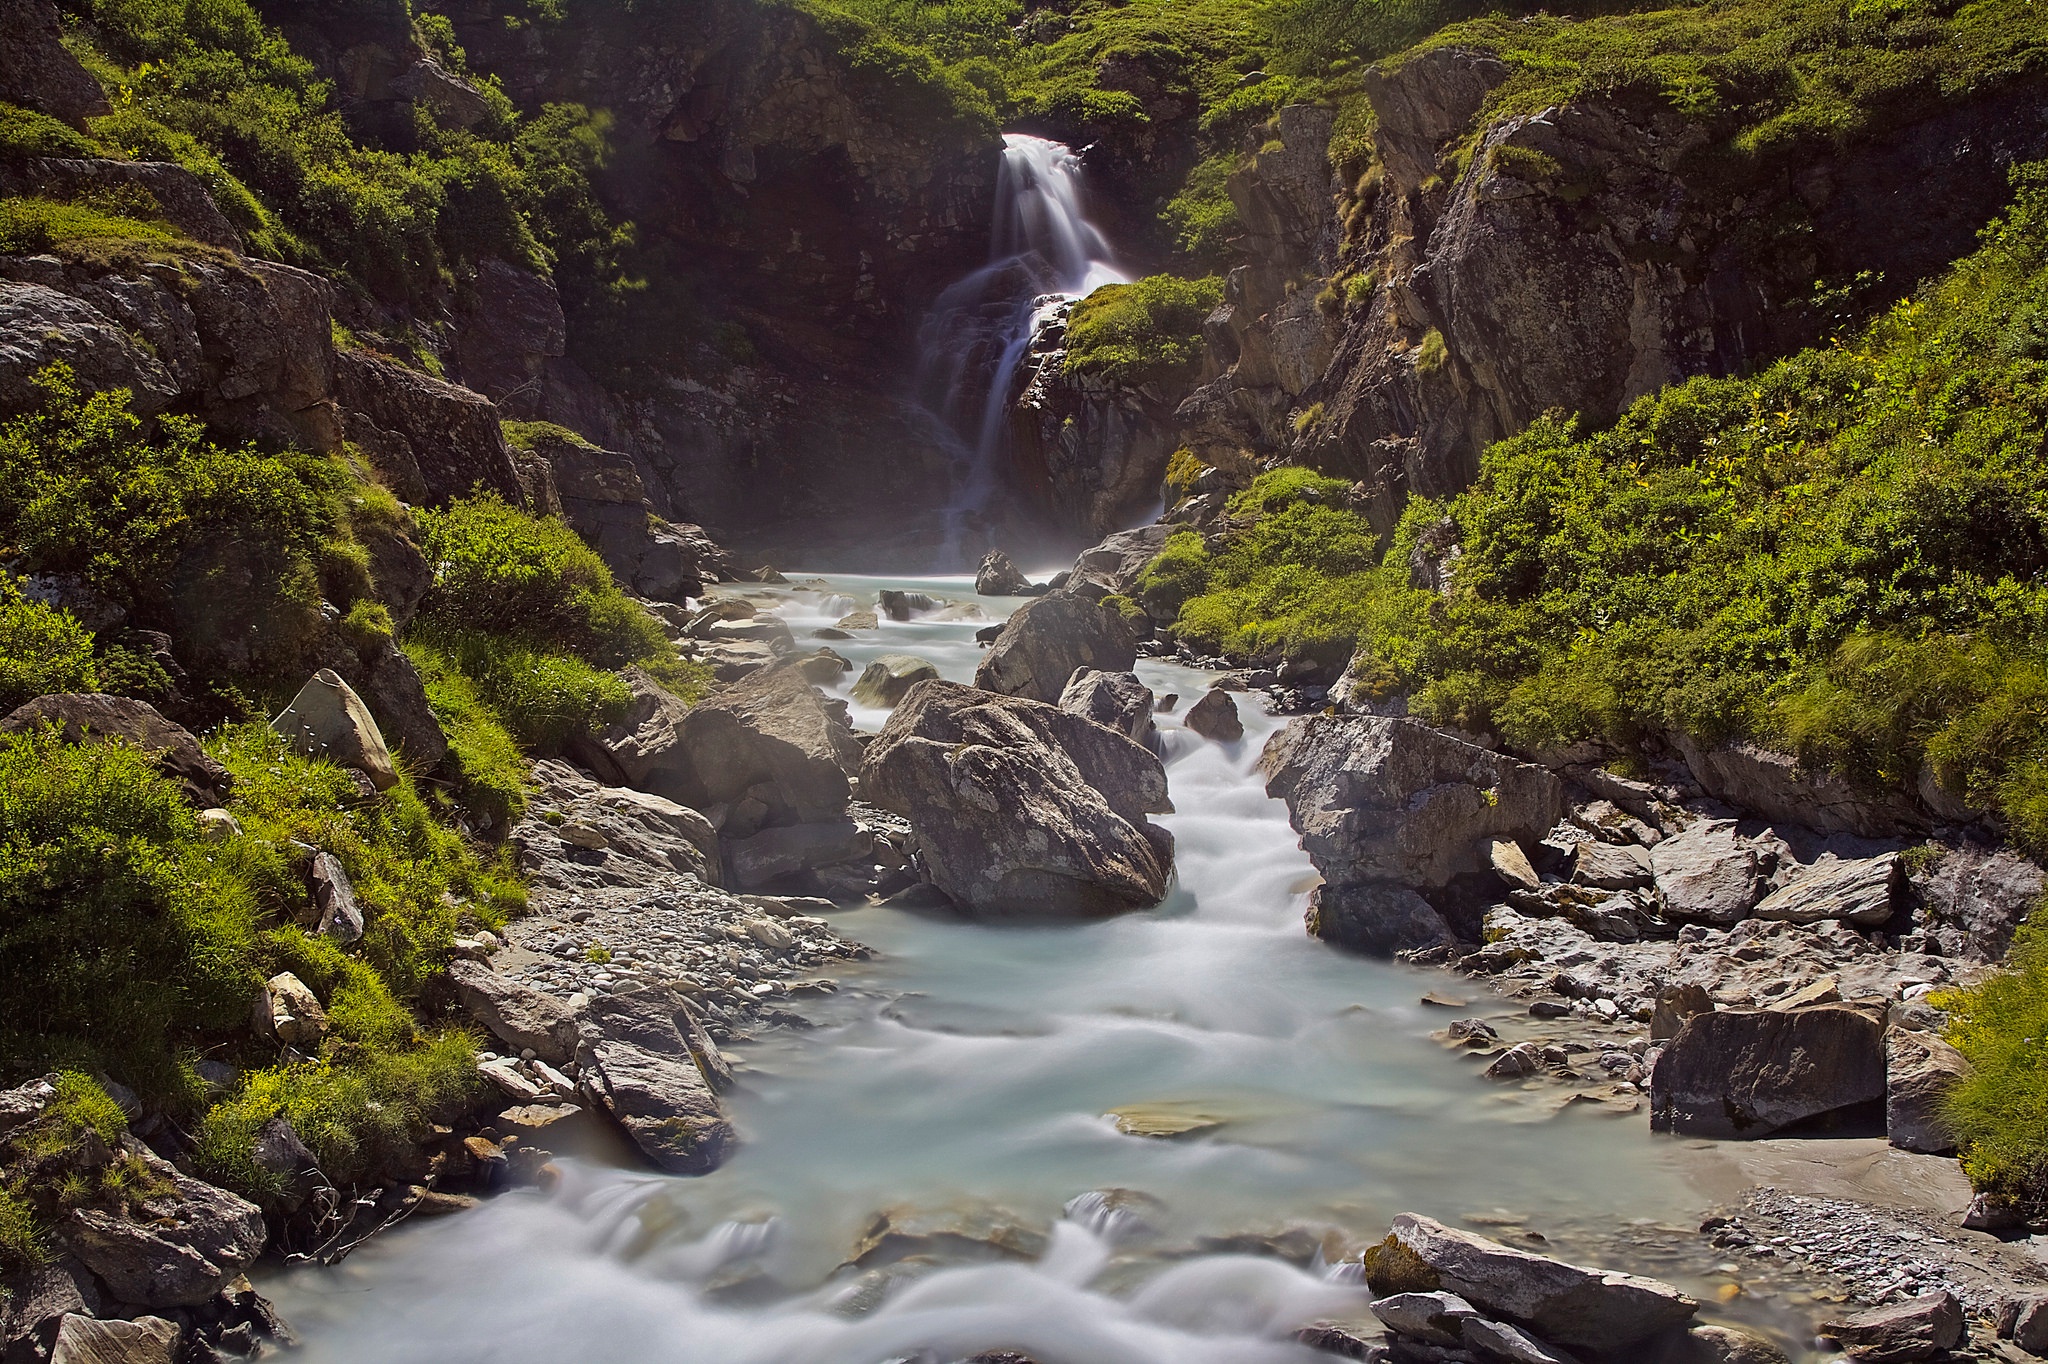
769,738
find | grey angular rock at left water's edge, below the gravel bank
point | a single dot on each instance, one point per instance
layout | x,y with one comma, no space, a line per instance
636,1062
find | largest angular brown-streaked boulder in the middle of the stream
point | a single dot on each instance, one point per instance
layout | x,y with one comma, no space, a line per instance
1021,808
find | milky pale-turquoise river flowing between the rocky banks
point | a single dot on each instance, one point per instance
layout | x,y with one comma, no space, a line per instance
962,1080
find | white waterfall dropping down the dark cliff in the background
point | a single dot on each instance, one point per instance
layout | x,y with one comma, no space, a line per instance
1043,253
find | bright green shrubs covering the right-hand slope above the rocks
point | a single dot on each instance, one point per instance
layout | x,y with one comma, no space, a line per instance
1844,556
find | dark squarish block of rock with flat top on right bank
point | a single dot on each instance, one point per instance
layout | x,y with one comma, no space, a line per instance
1754,1072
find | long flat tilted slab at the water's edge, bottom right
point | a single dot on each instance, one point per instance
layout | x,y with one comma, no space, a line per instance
1558,1302
